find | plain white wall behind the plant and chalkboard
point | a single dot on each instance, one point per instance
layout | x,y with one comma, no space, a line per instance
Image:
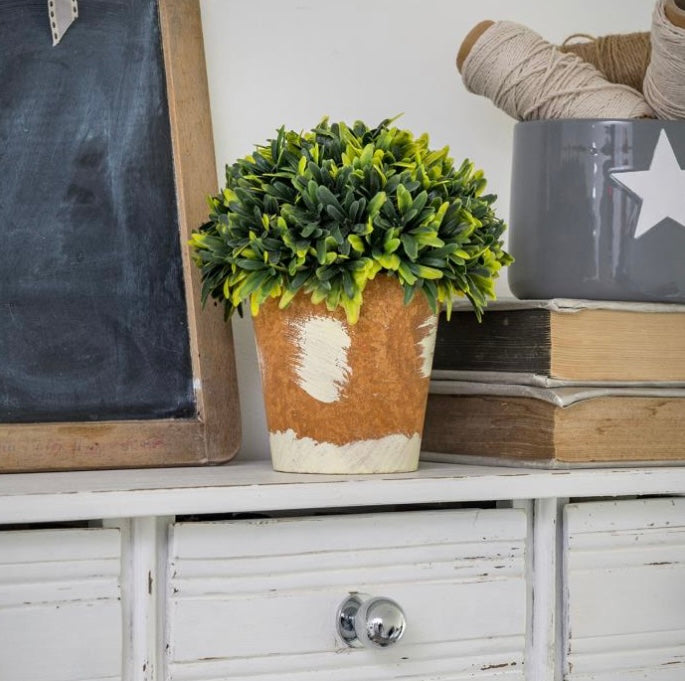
274,62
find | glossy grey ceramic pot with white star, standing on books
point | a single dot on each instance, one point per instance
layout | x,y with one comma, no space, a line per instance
598,210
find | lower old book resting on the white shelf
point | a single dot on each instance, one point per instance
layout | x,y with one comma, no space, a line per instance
548,427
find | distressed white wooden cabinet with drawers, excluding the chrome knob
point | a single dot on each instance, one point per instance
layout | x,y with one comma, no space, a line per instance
236,572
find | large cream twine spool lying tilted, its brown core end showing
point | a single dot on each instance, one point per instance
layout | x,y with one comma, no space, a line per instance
531,79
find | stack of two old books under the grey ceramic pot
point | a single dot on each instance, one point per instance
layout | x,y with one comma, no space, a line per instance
559,383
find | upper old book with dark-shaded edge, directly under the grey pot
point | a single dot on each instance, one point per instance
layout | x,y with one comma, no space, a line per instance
560,341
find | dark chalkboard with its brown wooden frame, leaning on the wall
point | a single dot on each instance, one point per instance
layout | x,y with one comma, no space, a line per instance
99,189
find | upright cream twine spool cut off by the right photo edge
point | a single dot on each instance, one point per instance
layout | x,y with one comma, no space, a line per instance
664,84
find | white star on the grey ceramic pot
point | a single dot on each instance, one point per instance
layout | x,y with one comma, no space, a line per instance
661,188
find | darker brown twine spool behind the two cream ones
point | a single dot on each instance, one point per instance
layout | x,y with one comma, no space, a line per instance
621,58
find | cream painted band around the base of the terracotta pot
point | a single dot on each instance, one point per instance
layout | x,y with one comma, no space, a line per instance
395,453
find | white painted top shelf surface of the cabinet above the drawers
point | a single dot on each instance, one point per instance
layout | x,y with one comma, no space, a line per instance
254,486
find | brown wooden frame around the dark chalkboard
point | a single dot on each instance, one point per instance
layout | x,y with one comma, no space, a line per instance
213,434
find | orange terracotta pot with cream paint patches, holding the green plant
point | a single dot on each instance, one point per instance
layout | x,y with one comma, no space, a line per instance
346,398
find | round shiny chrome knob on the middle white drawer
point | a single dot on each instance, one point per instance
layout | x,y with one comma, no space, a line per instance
365,622
